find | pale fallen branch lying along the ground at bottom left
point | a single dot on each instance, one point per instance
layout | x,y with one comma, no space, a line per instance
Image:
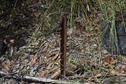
32,79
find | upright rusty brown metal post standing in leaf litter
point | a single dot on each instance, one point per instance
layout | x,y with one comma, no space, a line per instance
63,33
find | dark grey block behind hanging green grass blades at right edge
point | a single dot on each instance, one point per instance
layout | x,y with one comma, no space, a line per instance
114,39
